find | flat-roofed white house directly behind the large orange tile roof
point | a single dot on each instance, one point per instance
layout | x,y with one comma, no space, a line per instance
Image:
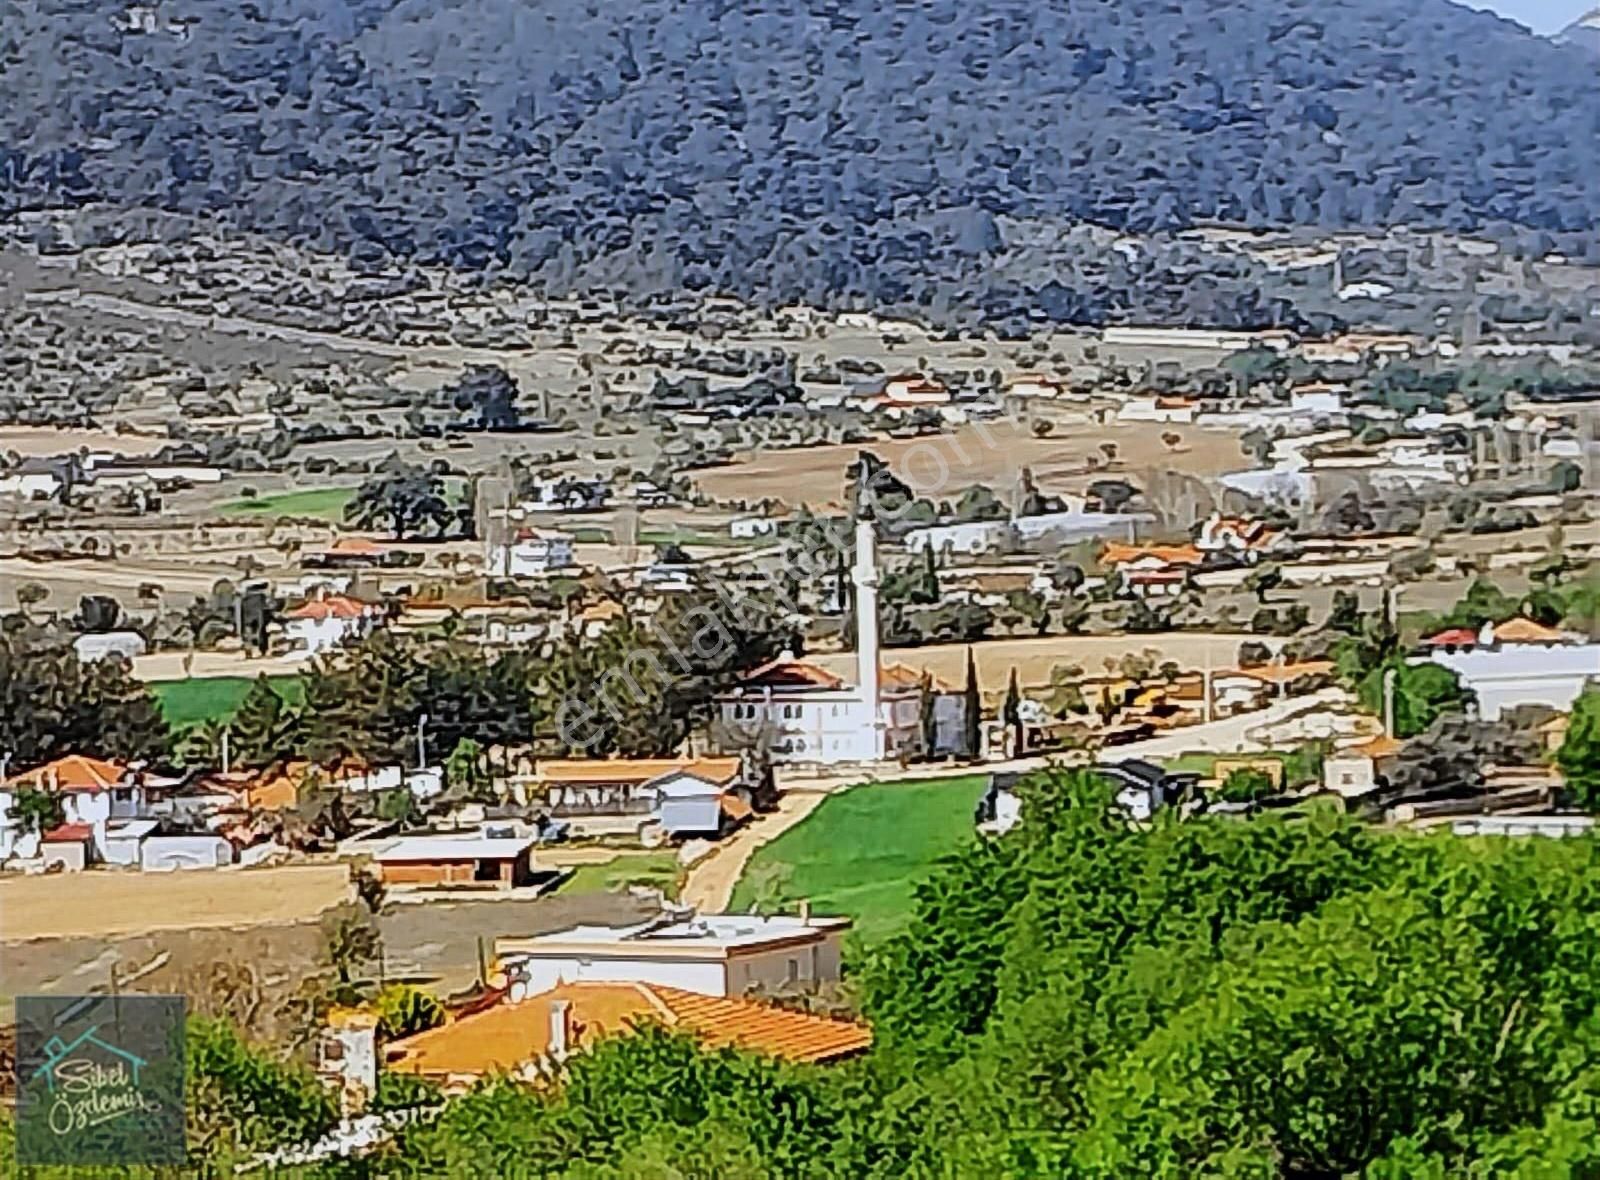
714,955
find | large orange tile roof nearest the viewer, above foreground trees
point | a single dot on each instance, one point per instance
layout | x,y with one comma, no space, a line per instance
511,1035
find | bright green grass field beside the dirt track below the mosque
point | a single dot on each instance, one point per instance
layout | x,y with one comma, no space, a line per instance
862,853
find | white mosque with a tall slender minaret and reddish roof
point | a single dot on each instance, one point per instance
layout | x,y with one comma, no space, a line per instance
814,716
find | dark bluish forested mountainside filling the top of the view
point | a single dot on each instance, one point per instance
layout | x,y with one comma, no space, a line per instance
814,149
